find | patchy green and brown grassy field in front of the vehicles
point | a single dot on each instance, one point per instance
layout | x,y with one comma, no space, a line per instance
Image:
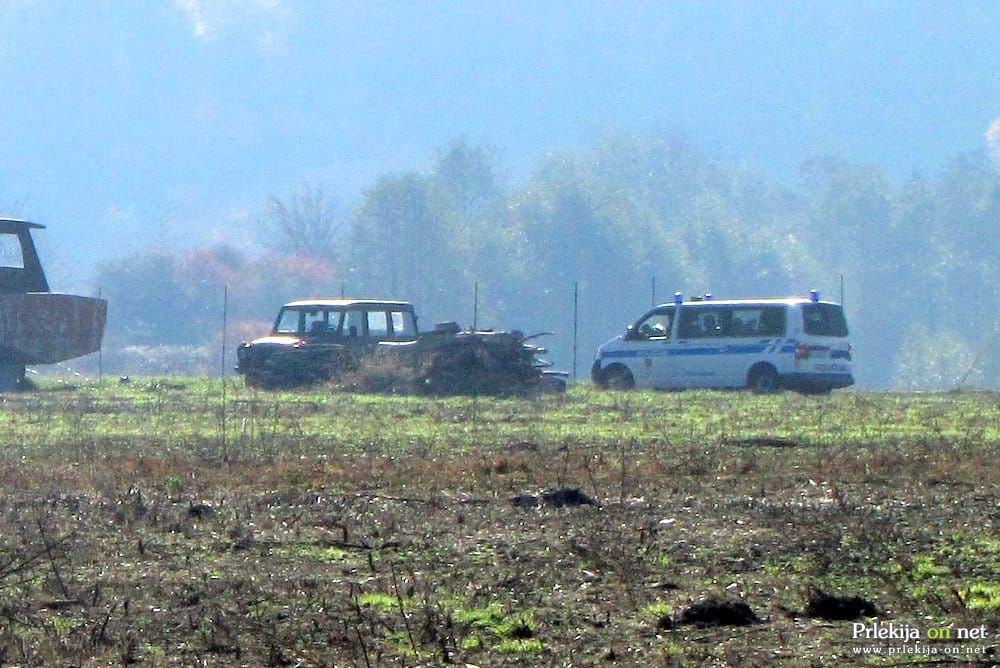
156,523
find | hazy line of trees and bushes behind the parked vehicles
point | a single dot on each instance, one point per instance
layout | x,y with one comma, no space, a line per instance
627,221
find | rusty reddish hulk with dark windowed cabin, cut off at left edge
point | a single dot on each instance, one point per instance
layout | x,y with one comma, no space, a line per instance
38,326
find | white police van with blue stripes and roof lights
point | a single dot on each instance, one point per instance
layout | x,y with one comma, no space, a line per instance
763,344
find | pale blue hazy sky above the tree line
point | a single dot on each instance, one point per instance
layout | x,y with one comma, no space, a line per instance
133,121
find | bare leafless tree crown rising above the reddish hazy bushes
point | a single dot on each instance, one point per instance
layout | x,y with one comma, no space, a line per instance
306,224
